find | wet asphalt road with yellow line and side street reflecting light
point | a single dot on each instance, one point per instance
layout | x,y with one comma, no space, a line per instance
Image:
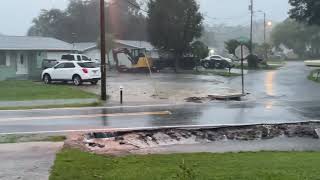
276,96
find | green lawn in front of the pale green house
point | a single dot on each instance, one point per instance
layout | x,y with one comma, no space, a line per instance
28,90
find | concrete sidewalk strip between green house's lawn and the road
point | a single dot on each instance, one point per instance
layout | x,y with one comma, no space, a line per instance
53,102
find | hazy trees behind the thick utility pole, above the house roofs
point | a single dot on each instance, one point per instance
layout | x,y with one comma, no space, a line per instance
80,21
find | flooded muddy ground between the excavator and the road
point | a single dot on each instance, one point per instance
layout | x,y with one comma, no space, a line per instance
162,88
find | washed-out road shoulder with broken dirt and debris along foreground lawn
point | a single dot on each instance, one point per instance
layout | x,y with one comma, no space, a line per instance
136,142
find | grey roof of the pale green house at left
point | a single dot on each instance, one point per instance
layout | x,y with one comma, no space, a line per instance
33,43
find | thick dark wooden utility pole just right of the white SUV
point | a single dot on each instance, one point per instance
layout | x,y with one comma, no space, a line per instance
103,52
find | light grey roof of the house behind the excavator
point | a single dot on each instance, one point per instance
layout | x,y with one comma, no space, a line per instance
84,46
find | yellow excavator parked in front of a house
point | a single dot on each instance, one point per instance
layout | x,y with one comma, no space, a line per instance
139,60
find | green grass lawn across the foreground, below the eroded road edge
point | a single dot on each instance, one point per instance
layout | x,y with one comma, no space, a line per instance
73,164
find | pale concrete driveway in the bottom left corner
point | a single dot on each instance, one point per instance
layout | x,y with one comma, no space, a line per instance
27,161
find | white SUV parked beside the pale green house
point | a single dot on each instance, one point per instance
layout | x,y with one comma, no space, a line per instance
75,71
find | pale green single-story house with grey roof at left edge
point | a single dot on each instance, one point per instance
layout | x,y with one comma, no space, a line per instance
21,56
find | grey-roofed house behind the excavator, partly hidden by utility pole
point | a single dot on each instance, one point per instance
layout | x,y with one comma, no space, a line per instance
91,50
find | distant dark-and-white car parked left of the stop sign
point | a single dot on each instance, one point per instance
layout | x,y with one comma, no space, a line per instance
217,62
